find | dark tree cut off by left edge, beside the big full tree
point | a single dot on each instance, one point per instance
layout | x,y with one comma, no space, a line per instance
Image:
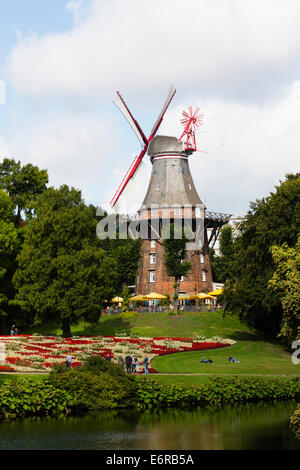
9,245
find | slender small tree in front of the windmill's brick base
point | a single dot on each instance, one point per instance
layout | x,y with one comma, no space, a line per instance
174,243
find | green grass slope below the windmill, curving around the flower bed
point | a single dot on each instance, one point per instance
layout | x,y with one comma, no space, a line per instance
257,353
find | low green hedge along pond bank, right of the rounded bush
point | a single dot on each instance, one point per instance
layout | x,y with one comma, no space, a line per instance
219,391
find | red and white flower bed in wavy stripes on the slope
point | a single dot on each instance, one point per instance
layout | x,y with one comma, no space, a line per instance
39,353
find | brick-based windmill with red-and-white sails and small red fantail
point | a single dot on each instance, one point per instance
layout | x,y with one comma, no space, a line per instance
171,196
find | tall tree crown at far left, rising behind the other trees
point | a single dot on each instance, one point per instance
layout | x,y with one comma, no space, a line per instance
23,184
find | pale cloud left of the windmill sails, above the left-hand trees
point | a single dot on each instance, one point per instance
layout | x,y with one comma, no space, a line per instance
74,149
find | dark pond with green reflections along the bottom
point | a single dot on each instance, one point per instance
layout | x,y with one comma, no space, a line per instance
248,427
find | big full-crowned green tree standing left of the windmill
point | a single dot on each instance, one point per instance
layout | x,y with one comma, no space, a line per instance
63,275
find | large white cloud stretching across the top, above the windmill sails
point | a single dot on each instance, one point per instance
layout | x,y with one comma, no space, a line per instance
142,45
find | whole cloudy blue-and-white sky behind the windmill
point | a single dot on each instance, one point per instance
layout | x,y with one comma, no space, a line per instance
61,62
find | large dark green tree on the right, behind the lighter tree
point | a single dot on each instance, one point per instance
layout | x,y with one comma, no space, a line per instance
273,220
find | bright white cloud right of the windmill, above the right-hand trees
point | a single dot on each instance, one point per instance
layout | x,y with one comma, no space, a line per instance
250,148
